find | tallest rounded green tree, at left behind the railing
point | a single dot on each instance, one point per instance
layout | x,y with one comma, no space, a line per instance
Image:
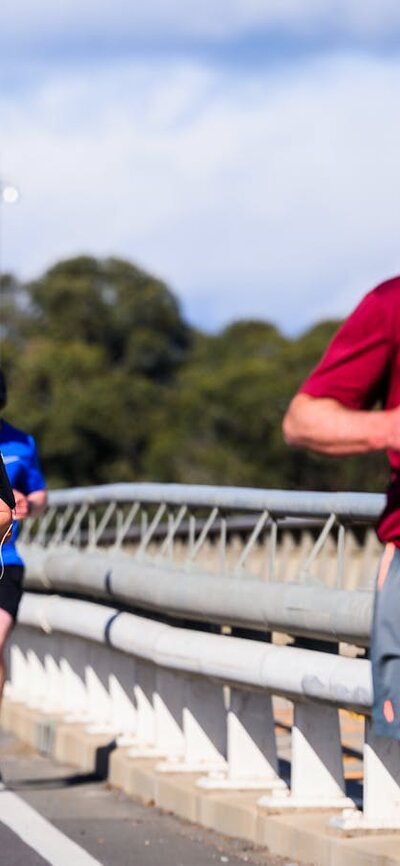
100,346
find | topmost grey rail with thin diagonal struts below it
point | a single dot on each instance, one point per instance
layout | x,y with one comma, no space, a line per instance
199,518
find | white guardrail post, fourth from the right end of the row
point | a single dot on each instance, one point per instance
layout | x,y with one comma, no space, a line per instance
204,729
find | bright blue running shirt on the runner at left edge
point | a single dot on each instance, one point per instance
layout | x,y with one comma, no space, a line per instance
20,457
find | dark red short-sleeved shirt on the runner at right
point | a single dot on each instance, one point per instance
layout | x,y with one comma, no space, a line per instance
362,366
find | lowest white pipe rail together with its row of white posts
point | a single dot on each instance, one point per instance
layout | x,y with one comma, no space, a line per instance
202,704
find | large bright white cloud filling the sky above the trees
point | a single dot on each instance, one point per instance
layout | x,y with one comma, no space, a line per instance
251,194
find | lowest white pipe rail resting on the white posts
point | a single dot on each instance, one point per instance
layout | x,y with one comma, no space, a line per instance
293,673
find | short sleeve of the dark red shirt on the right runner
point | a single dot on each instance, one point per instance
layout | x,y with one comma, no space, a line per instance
354,369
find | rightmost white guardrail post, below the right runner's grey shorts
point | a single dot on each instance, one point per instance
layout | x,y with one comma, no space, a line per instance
381,806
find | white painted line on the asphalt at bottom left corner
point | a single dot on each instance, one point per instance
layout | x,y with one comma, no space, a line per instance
40,835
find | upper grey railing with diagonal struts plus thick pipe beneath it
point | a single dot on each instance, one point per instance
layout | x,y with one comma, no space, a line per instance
265,560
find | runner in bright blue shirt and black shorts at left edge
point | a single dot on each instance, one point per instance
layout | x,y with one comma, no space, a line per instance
20,458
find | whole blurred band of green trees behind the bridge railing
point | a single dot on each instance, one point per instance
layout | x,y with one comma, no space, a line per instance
116,386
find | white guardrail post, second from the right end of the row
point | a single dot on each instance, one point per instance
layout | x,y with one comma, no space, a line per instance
317,780
